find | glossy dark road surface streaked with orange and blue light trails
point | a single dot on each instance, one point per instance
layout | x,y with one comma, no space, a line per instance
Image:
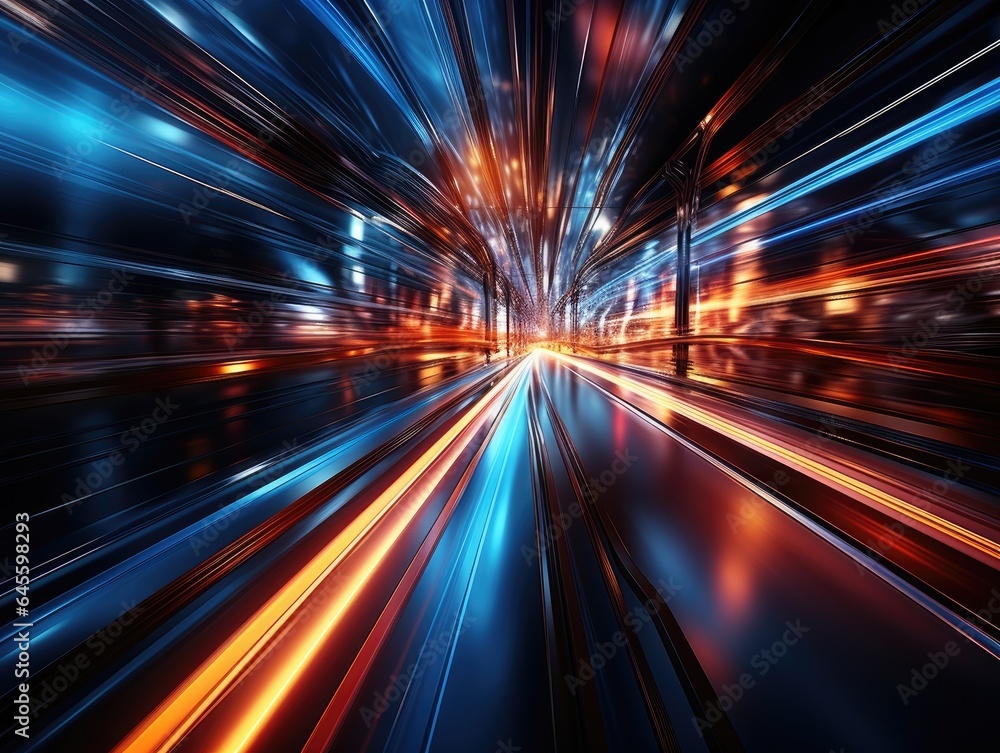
547,553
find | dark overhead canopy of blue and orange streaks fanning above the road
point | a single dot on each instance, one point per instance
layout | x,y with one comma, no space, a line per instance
537,138
